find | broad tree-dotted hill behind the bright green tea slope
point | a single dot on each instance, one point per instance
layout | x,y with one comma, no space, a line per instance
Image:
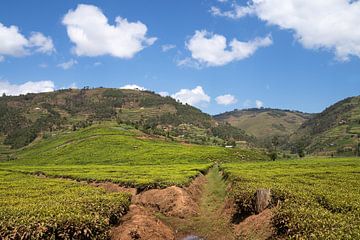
27,117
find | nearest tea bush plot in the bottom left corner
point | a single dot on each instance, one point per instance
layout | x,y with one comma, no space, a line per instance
40,208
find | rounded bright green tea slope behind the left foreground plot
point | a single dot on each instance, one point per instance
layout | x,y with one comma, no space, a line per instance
120,154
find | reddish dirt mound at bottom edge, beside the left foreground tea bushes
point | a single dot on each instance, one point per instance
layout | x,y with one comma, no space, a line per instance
138,223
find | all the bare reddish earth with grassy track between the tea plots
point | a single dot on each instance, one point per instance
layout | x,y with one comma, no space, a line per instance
200,209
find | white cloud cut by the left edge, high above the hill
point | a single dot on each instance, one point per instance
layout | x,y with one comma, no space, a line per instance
13,43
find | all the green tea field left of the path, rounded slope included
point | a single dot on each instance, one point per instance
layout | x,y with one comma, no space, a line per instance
40,200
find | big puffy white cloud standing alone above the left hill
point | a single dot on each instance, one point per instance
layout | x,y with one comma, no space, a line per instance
89,30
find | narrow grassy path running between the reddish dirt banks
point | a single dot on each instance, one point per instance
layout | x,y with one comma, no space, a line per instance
212,222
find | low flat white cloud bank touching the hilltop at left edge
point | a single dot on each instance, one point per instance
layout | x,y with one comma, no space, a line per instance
28,87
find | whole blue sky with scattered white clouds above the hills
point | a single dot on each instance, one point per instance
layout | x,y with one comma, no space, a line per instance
217,55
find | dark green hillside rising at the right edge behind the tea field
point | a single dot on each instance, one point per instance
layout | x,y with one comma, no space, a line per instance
336,130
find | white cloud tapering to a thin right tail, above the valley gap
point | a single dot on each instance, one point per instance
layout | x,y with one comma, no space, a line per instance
212,49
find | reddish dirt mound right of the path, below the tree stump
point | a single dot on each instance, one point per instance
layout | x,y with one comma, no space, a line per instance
256,226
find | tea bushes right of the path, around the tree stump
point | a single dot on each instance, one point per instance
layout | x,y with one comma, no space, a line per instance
320,197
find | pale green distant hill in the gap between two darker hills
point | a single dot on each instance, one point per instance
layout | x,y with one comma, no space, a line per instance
265,123
